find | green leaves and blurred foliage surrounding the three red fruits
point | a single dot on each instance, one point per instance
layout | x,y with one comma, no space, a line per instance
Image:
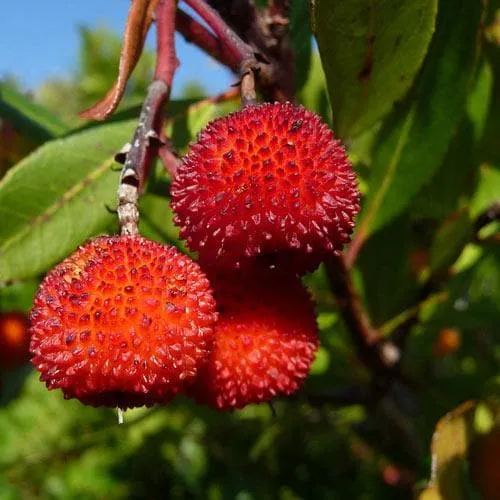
426,151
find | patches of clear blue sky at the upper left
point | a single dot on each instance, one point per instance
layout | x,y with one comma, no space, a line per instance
39,40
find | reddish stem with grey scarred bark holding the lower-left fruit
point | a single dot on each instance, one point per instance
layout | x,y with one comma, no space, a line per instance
145,141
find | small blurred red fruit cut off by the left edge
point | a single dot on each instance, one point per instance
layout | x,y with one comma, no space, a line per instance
14,339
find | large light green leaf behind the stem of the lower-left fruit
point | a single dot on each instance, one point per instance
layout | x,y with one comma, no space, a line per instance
56,198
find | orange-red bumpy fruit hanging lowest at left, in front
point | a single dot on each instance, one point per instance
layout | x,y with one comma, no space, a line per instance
122,322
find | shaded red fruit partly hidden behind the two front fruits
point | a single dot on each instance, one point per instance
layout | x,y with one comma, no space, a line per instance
264,341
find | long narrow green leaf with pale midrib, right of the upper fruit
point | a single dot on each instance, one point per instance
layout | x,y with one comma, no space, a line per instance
415,138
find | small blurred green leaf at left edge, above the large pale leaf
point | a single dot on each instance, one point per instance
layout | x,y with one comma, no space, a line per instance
29,118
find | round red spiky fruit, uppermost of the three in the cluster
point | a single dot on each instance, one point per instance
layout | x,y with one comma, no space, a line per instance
265,180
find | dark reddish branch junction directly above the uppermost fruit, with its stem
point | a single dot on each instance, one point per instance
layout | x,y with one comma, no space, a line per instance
243,39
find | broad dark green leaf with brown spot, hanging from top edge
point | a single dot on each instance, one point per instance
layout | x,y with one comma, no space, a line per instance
371,52
